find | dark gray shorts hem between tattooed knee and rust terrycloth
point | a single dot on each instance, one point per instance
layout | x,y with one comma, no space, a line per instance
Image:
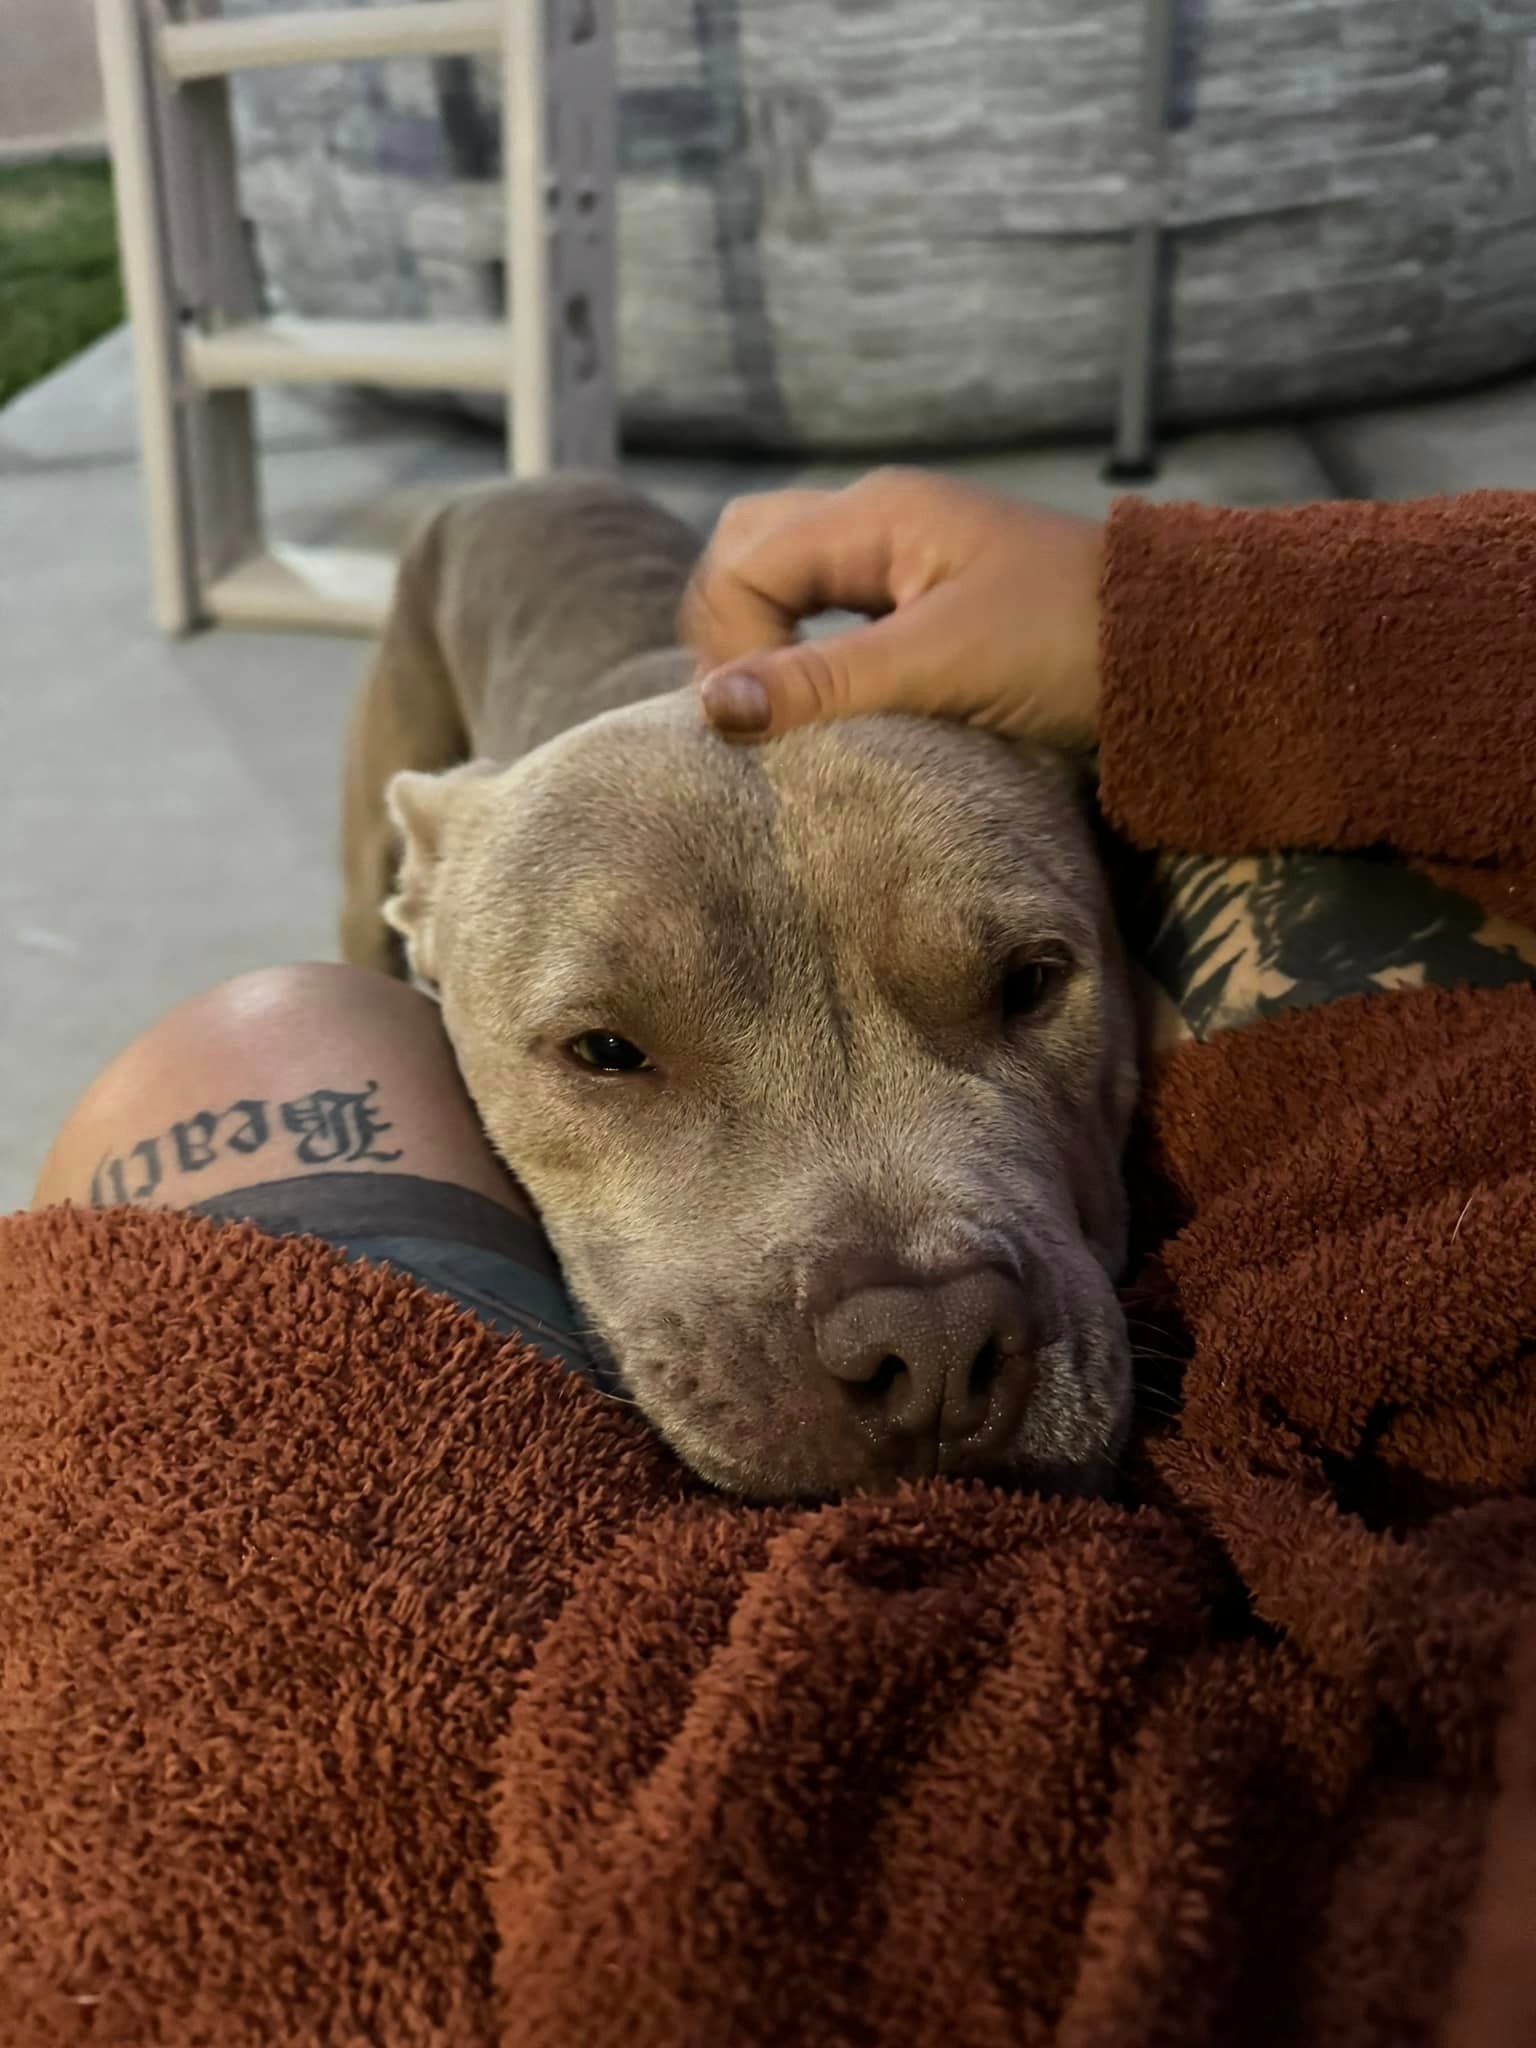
452,1240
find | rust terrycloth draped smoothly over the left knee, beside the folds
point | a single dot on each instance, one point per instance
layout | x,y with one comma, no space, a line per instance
275,1537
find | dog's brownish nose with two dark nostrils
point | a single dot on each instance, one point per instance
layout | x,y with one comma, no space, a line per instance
935,1361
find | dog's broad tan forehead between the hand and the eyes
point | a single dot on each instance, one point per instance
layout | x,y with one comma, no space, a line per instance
646,833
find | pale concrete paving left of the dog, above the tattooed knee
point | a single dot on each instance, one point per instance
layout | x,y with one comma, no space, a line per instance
167,810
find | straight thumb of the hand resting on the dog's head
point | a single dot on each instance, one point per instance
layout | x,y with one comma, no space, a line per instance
904,663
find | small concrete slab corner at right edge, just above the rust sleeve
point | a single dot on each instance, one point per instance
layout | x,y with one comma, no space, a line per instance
1476,441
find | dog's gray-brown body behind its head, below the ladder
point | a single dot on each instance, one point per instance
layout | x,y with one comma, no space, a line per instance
519,613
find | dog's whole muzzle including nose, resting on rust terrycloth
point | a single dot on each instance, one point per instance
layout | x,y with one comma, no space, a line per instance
783,1388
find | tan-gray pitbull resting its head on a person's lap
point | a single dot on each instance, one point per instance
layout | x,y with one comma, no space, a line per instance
816,1058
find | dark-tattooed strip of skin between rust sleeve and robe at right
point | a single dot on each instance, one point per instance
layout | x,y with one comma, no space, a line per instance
1228,943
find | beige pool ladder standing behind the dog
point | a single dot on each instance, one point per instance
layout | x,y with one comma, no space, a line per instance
200,337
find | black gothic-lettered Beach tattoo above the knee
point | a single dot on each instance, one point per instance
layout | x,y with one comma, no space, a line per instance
327,1127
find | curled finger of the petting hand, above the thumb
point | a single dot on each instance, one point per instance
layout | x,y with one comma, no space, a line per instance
777,568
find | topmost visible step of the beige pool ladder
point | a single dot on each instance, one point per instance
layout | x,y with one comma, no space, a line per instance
331,36
